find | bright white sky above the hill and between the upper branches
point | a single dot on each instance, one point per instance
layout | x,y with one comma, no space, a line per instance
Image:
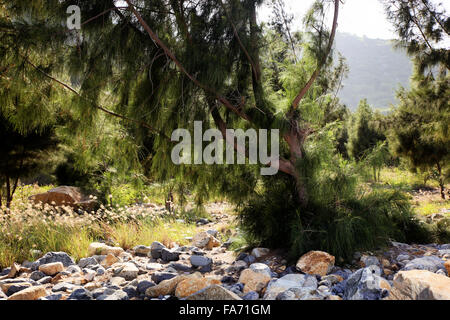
359,17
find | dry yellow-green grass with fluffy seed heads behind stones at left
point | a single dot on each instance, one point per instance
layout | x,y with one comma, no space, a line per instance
27,227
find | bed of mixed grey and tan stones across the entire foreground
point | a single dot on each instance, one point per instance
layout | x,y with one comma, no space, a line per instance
207,270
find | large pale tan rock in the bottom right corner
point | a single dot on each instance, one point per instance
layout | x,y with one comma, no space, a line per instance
420,285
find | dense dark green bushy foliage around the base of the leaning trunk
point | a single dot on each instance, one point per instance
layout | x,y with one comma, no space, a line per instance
338,219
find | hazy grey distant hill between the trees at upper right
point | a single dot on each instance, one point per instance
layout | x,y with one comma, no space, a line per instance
376,70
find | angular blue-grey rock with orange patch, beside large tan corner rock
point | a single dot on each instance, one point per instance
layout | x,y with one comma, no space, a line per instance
365,285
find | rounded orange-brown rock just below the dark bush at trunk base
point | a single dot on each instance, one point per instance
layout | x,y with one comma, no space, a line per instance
316,262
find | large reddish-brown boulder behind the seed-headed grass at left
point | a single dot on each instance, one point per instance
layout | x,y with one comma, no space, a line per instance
65,196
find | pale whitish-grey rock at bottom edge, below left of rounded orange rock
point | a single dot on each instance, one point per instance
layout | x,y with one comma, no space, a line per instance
288,282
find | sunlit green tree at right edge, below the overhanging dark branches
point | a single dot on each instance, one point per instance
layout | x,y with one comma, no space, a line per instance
419,130
